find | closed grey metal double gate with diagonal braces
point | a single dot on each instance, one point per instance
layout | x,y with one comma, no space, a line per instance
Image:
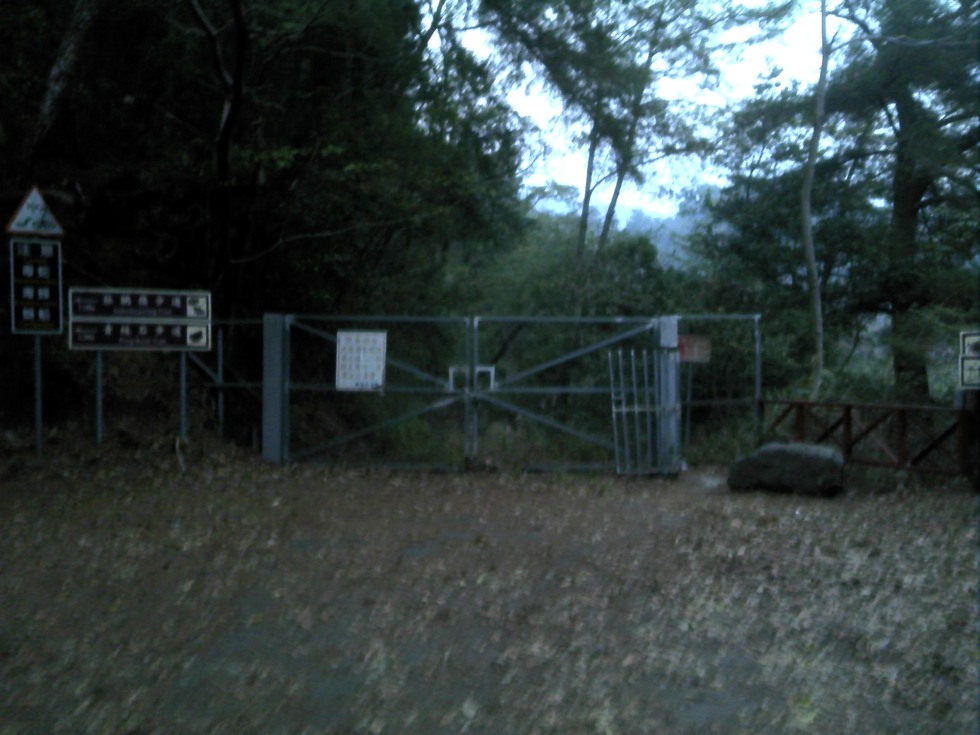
529,393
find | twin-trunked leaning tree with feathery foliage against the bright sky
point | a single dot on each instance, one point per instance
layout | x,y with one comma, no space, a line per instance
605,60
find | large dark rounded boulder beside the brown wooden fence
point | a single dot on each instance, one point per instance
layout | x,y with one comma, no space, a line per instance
790,467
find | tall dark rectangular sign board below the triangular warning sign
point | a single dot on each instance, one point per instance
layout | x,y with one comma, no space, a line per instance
35,286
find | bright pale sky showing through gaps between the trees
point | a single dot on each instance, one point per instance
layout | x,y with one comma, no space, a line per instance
796,52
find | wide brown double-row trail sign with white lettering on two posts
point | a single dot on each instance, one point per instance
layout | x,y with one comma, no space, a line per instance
139,319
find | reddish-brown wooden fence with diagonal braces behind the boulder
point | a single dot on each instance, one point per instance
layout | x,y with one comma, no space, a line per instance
912,438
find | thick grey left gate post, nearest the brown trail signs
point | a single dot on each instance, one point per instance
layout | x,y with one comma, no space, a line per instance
275,388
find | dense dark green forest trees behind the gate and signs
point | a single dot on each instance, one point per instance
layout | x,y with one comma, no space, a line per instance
342,157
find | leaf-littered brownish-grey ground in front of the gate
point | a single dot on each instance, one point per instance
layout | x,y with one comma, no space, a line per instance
148,592
